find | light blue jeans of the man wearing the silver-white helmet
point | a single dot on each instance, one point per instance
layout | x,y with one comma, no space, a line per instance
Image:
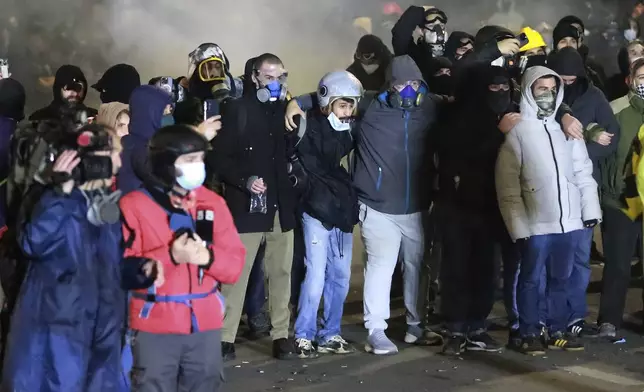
328,271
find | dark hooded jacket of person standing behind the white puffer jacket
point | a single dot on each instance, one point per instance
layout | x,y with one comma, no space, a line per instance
588,103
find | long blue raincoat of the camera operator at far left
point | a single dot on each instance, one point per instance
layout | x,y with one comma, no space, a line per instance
67,326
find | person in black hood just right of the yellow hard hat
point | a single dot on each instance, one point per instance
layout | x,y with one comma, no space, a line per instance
569,32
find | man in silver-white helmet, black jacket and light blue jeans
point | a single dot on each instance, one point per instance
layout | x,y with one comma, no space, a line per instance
330,210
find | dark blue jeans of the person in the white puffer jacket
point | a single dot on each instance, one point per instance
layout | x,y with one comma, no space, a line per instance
553,253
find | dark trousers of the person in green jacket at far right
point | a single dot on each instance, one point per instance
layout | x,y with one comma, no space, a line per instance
620,234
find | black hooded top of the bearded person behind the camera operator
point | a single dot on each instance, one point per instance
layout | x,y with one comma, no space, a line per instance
66,74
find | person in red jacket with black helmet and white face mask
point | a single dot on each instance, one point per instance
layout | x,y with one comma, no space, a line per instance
177,341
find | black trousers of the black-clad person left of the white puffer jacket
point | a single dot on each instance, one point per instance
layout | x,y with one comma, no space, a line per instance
467,271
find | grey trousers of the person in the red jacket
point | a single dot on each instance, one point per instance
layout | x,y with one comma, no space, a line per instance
177,363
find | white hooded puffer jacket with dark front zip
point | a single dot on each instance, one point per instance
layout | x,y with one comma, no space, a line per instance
544,182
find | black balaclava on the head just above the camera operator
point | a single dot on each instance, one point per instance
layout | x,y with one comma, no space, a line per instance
118,83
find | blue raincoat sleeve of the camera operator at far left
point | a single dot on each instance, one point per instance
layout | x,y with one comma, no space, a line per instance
48,226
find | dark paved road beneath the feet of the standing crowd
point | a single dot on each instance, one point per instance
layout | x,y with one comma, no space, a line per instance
602,367
